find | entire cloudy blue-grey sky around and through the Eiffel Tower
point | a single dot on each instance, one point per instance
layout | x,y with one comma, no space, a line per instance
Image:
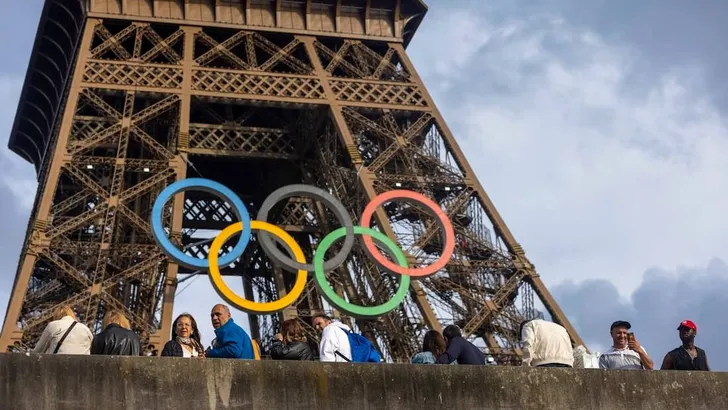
597,128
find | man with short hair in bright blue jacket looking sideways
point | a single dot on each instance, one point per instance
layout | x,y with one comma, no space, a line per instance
231,342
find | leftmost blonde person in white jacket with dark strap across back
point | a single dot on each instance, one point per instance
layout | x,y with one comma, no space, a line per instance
65,334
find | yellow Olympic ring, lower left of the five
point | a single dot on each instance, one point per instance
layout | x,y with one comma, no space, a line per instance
246,305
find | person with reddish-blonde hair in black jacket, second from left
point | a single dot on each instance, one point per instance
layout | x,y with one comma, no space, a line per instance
117,338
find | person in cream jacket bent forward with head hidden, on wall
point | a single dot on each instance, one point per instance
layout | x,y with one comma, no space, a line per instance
546,344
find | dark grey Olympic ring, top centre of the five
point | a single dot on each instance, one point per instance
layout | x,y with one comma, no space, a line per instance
337,207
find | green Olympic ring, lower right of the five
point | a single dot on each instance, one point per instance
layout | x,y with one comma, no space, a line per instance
340,303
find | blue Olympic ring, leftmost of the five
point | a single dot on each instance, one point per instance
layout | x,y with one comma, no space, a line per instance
212,187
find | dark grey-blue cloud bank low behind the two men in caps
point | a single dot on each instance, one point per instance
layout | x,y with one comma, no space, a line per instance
655,309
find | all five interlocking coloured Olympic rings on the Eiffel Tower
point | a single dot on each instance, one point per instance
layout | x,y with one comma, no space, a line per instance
296,261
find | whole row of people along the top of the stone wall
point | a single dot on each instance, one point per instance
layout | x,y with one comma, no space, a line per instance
543,343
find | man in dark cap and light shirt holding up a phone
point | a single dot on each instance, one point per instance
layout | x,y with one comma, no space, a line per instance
624,354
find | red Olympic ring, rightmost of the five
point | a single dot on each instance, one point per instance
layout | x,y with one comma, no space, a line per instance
449,247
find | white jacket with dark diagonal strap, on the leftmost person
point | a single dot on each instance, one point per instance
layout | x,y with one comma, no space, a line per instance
77,342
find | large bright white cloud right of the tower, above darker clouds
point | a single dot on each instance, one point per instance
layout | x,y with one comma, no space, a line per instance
600,169
